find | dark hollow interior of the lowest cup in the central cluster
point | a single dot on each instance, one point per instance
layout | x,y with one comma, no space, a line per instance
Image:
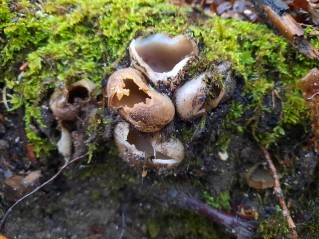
143,144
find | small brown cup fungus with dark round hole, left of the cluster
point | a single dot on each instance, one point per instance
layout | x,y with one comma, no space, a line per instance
66,104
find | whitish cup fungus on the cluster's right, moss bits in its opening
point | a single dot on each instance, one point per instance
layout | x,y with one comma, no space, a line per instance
204,92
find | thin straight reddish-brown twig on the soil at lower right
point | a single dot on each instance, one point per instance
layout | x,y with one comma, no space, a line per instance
280,195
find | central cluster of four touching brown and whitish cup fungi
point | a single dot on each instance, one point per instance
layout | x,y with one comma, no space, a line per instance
160,61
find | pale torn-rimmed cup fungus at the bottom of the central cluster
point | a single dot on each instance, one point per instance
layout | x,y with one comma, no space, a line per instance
141,149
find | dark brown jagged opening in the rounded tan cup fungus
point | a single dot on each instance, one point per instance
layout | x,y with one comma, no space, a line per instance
135,95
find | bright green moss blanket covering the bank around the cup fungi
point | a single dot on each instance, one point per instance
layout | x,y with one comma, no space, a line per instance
67,40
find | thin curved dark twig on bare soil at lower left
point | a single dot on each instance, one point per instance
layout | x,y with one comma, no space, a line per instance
3,220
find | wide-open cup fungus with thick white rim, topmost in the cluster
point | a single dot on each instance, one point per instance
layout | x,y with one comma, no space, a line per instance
163,58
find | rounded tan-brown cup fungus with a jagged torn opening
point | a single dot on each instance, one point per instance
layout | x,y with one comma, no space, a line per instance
142,106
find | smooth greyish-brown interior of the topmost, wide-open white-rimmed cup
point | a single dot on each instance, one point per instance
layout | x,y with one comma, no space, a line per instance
162,54
